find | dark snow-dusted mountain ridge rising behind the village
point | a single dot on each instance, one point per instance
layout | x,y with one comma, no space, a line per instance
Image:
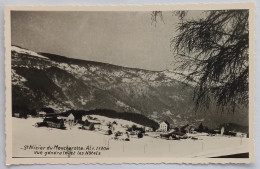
46,80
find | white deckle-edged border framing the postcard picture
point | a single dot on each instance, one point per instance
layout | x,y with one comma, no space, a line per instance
164,7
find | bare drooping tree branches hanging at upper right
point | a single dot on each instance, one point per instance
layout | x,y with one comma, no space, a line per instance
212,53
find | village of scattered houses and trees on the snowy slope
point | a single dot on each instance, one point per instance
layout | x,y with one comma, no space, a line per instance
125,130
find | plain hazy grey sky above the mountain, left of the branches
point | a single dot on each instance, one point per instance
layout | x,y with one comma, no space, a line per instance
122,38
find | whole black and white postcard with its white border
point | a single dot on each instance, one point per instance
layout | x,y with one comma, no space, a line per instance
167,85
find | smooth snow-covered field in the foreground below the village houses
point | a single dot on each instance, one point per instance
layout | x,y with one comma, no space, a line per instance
25,134
